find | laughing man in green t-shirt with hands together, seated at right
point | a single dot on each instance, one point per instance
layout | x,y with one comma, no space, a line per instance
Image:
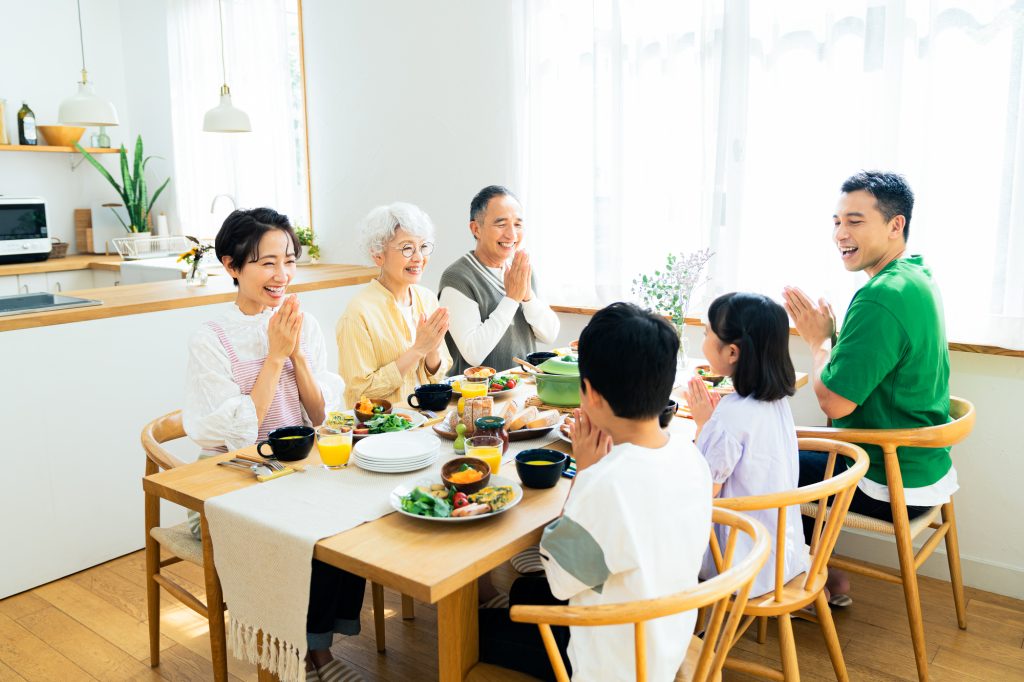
890,367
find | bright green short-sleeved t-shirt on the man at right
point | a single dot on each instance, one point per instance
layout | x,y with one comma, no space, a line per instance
892,360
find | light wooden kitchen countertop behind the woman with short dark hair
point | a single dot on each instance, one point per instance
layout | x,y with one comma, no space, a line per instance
153,297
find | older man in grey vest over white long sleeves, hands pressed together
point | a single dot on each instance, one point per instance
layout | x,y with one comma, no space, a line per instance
490,292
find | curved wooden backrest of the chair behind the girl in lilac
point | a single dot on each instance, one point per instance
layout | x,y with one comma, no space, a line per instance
828,523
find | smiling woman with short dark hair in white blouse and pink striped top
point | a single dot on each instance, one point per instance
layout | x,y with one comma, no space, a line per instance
263,366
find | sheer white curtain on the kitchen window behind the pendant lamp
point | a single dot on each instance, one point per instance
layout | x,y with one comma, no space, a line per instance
266,167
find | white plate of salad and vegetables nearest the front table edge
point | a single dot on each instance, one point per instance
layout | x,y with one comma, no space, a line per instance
436,502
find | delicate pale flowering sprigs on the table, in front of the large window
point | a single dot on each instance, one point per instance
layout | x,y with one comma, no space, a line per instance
669,292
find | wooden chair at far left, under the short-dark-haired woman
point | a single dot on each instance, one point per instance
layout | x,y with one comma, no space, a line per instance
180,541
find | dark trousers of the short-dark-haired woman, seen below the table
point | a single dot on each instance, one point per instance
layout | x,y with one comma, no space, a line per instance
335,603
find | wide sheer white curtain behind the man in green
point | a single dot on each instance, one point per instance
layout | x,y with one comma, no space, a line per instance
658,125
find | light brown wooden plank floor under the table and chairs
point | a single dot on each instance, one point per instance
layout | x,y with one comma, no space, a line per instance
93,626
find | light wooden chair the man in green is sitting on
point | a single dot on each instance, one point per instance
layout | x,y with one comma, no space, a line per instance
962,415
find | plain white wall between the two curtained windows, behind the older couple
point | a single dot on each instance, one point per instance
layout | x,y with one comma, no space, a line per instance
408,102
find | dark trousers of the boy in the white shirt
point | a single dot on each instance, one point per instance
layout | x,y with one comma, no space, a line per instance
519,646
